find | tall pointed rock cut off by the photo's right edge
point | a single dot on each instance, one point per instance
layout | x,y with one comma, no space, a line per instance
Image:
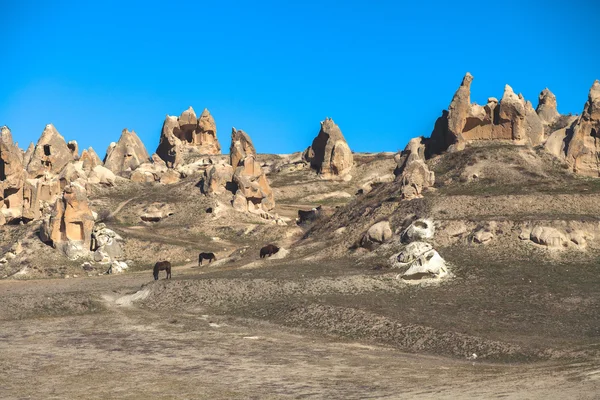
583,150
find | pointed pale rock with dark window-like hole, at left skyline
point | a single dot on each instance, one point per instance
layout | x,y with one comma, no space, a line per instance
51,154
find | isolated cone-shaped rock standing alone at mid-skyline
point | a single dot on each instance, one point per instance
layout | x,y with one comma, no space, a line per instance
329,153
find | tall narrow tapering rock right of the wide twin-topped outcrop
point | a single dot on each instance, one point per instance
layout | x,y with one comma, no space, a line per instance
253,193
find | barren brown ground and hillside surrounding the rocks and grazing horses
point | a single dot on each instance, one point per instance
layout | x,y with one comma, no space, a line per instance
330,320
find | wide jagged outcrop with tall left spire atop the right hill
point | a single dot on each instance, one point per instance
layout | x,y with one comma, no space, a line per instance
512,119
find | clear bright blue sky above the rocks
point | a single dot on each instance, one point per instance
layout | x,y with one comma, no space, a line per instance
383,70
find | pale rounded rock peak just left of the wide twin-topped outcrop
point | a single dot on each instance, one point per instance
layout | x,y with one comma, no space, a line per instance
126,155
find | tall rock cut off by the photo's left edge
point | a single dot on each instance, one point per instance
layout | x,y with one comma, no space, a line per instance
12,178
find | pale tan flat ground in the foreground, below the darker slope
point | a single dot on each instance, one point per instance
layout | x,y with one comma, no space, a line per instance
115,349
